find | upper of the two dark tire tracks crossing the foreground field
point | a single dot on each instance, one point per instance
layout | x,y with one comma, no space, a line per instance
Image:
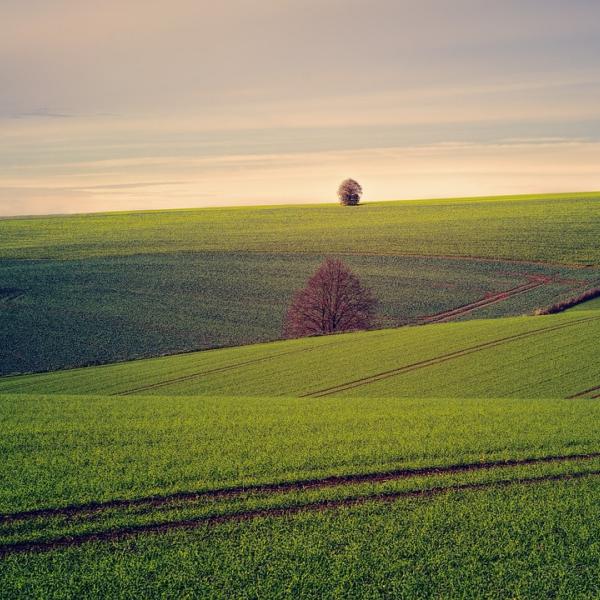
289,486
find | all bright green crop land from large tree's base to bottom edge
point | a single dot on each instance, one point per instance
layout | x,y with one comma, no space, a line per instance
408,465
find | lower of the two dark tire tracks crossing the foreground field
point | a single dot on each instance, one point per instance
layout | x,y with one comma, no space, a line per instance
239,517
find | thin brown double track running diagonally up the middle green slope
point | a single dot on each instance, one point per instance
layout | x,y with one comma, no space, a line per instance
440,359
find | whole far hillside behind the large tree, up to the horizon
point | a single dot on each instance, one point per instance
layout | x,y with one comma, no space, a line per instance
92,289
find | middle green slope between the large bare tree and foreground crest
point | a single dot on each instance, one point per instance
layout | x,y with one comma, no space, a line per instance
551,356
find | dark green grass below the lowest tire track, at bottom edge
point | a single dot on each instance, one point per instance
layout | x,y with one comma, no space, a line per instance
520,541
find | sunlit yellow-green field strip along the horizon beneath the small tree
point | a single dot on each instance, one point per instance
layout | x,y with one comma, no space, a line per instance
560,228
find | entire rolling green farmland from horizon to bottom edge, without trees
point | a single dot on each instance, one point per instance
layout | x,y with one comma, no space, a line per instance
443,459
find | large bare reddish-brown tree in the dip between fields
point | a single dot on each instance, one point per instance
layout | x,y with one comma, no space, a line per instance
332,301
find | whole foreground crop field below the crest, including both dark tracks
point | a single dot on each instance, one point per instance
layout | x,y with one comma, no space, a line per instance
156,480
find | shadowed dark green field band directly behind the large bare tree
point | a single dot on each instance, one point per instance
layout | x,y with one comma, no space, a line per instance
94,311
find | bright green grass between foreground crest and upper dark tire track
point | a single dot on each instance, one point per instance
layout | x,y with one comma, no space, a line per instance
137,447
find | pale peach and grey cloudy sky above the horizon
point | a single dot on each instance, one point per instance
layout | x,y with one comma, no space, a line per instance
139,104
